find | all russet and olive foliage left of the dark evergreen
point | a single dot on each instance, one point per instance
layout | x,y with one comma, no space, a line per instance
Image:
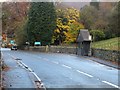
14,16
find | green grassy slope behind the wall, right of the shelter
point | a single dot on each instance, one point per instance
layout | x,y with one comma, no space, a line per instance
110,44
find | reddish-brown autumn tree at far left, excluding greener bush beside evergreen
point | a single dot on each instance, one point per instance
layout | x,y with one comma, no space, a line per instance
14,12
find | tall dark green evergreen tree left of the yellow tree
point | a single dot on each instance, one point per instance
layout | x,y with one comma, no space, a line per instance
41,22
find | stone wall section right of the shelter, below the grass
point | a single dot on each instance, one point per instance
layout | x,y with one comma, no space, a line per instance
110,55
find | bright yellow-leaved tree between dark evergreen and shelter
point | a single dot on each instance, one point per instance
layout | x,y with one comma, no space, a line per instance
67,25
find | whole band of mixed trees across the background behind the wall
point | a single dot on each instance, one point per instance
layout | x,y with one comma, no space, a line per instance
44,22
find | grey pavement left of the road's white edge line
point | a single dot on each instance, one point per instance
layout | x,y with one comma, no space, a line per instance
14,76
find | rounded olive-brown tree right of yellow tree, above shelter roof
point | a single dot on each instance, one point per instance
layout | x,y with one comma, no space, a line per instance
88,16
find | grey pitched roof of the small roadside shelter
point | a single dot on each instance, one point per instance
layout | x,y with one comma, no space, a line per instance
84,35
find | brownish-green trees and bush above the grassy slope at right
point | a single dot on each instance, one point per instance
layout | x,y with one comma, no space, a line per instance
102,19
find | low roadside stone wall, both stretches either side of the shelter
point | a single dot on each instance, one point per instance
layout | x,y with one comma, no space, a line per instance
110,55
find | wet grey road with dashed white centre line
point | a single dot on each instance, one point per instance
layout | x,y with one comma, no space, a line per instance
67,71
